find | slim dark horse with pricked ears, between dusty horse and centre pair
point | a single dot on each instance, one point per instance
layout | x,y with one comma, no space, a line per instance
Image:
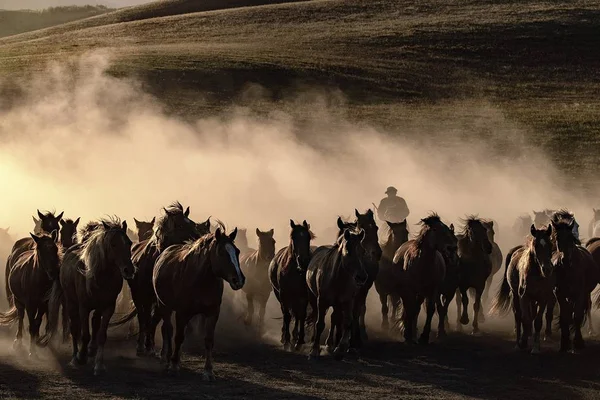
287,274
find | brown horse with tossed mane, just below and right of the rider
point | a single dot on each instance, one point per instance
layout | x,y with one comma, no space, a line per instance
424,270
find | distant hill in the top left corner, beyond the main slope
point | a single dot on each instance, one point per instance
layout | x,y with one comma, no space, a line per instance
15,22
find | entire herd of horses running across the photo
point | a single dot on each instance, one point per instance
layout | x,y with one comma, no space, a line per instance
175,265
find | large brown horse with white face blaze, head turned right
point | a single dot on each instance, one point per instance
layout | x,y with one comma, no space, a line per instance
188,280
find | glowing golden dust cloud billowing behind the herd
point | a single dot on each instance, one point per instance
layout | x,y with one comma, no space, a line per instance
91,144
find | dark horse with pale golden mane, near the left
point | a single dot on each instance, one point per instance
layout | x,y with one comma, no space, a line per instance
91,278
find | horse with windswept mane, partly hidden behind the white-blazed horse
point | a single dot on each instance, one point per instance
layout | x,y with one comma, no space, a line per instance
173,227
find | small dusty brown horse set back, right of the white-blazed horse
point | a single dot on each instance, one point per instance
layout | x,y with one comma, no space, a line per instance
255,265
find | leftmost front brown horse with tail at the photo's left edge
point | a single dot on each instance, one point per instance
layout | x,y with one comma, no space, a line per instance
30,280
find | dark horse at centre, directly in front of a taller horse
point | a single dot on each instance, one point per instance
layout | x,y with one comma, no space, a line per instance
334,277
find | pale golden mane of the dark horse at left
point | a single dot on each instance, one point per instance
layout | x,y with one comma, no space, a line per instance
95,249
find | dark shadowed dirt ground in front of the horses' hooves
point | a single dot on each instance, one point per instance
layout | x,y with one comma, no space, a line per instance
462,366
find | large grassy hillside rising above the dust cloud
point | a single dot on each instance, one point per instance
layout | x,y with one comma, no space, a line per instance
537,62
